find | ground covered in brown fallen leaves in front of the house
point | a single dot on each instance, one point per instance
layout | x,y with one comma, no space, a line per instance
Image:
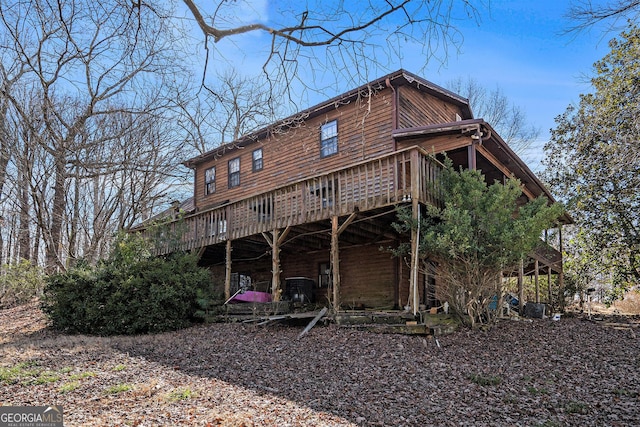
574,371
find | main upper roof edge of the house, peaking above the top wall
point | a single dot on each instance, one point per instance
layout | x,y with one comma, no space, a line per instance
397,78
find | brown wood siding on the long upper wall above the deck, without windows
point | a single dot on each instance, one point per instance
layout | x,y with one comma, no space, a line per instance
364,132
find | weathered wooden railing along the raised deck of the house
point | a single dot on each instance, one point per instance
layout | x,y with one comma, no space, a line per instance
384,181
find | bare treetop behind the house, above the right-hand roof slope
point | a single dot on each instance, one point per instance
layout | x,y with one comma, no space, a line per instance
509,120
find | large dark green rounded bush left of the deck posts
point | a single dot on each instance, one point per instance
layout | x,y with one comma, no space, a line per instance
130,293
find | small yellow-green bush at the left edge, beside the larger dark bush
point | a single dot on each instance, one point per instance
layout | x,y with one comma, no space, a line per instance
20,283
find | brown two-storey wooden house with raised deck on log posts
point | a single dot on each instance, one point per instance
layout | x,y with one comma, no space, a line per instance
311,198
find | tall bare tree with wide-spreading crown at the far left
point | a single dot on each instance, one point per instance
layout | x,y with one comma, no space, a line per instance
83,61
